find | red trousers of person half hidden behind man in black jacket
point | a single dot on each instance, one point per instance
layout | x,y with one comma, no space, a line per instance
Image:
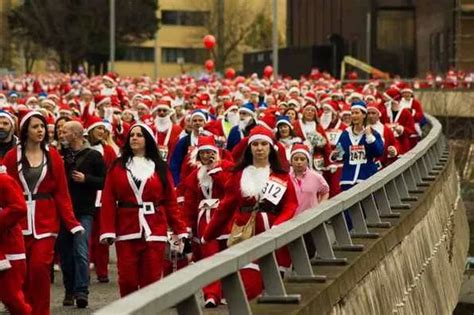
99,253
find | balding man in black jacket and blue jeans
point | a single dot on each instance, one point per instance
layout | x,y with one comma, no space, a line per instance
85,171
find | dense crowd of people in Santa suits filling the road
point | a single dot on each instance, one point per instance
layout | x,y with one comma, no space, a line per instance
175,170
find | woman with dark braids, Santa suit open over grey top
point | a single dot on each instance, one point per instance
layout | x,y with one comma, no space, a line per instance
40,171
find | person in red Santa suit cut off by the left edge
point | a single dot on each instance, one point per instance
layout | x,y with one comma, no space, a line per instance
12,246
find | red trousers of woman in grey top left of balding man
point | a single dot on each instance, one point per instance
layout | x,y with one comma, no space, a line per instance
39,257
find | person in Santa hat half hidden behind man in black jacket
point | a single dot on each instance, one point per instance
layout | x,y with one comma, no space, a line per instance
99,255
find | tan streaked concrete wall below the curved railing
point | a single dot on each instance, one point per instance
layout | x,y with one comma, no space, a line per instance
423,273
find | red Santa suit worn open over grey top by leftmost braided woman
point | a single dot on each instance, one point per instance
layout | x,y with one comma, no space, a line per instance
48,204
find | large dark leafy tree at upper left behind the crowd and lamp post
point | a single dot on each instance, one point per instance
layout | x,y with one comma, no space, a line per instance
78,30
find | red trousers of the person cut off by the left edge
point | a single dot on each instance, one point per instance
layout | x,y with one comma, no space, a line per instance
11,288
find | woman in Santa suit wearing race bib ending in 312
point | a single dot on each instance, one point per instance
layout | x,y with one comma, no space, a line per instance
258,182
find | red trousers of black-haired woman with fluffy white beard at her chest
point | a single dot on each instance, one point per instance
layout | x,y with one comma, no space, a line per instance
139,264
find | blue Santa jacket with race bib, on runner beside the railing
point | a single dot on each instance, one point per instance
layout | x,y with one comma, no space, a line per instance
359,155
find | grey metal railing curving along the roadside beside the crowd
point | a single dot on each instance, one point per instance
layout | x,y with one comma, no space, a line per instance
368,203
